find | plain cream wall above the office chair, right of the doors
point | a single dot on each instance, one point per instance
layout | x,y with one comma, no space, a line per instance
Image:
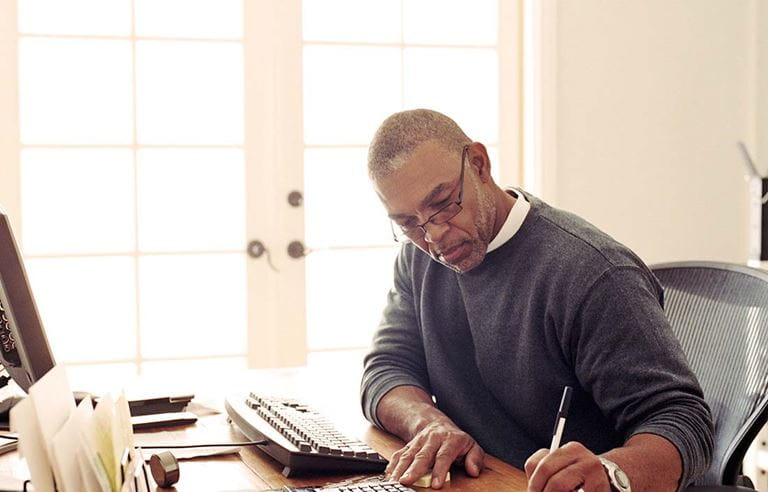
650,99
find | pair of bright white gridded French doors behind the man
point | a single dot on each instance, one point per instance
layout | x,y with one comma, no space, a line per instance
146,142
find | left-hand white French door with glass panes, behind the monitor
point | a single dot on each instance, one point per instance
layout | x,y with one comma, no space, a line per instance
146,144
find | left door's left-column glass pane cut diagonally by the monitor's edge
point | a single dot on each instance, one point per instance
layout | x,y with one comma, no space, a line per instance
87,306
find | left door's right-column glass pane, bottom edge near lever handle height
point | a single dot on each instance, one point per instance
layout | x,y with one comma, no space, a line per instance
191,200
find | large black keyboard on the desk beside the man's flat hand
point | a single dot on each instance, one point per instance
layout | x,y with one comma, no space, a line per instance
300,438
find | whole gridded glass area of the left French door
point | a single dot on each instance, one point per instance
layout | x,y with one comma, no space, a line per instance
132,181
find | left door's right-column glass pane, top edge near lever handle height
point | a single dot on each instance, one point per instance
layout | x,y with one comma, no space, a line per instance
192,305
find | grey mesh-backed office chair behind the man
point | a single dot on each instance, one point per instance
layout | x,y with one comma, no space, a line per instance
719,312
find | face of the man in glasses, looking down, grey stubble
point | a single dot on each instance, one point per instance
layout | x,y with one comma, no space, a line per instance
428,181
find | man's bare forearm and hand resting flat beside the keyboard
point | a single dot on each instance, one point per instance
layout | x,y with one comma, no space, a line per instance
435,442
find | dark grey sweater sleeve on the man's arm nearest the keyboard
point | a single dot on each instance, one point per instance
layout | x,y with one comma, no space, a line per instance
397,354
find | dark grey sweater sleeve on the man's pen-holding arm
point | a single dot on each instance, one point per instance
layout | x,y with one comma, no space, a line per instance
628,358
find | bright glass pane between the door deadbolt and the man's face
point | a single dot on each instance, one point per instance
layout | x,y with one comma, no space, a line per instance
342,207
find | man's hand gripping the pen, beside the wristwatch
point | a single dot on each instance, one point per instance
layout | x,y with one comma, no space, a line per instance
566,469
